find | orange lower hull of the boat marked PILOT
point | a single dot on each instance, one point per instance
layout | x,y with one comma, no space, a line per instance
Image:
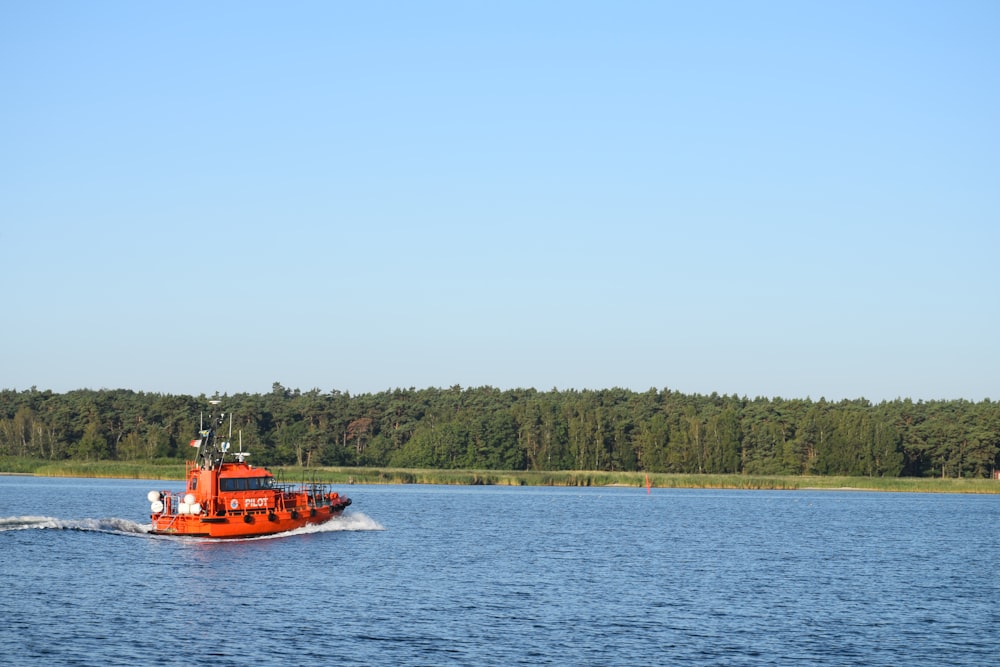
242,524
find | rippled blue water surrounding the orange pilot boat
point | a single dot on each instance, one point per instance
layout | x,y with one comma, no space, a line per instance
428,575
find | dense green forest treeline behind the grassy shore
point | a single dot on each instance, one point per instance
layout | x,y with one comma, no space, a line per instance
519,429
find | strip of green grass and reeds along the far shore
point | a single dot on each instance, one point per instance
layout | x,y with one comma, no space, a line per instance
347,476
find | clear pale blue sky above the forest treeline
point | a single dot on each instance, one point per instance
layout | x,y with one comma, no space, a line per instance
795,199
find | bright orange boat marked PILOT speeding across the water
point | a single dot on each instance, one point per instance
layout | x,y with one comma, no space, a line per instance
227,497
